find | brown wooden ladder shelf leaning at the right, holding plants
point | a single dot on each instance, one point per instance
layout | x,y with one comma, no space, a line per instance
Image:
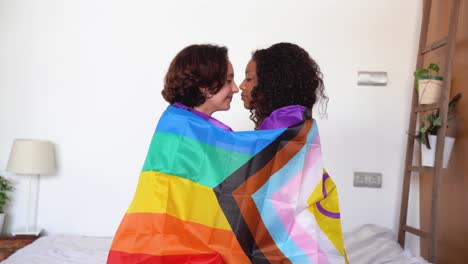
416,109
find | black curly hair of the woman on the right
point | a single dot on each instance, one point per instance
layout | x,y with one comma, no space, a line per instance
286,75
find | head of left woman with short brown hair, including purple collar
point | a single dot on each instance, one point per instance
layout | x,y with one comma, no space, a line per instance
200,79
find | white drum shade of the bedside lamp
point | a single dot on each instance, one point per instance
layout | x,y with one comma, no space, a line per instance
31,156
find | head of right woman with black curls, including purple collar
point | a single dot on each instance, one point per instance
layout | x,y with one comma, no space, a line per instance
281,83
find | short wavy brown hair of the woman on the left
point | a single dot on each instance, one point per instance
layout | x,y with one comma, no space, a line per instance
193,67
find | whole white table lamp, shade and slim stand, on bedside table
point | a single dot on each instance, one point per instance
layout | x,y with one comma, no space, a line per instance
33,158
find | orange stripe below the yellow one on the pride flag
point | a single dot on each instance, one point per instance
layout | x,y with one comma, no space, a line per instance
164,235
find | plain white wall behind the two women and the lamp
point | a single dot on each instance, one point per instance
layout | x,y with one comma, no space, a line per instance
88,74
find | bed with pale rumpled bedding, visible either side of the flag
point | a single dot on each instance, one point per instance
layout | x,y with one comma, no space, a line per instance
366,244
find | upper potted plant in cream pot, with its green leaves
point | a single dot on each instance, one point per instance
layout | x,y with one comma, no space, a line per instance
429,84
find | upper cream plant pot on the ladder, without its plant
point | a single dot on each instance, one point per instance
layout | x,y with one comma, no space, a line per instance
429,89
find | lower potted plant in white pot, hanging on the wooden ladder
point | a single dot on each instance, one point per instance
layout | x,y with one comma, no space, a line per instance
427,135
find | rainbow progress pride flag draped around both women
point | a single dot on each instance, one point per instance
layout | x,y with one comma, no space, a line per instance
206,195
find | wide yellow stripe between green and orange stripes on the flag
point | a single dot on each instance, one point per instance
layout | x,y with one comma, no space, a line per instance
163,193
